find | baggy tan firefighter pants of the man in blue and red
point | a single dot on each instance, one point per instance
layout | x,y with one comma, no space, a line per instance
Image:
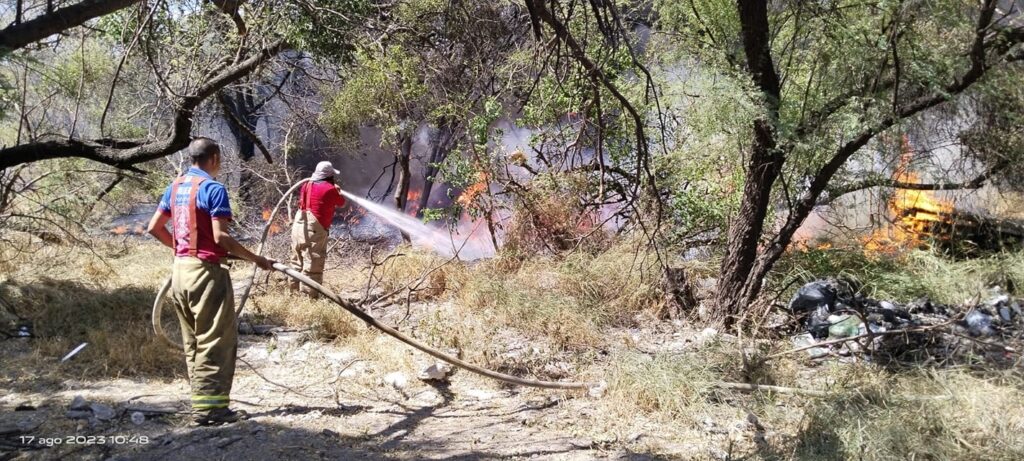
204,301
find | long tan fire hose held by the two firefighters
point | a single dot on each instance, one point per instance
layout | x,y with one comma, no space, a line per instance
363,316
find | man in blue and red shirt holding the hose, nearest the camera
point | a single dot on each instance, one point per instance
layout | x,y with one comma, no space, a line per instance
199,212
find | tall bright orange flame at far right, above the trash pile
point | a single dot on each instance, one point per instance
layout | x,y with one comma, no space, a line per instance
913,213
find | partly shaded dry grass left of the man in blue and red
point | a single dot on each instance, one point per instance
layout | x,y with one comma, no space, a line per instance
102,297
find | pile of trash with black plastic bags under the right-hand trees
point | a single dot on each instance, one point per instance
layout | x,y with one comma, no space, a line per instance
831,311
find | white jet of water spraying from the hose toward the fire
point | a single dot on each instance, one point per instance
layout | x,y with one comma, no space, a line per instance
474,245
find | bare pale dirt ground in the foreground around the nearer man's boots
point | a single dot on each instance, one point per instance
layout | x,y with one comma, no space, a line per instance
336,405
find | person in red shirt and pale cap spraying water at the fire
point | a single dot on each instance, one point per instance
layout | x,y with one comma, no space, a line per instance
318,201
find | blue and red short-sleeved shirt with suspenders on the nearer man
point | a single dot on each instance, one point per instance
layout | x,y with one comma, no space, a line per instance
211,203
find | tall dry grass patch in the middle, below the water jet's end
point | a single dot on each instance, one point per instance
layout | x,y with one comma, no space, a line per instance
566,301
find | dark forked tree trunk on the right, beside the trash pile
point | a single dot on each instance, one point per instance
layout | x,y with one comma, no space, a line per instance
750,257
